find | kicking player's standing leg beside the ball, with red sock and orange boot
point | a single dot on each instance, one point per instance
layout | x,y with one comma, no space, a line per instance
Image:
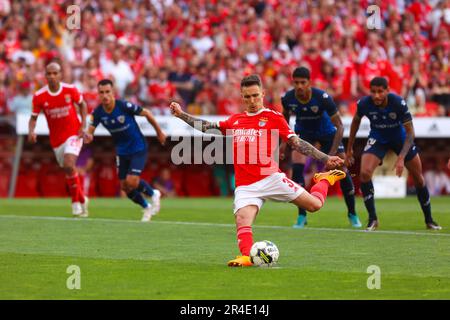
244,220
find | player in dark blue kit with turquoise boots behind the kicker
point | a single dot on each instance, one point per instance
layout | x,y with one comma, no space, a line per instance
317,121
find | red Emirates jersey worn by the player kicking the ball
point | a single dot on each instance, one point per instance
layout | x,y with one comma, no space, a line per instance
255,138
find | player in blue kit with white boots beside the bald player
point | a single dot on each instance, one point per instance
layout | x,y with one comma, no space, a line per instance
117,116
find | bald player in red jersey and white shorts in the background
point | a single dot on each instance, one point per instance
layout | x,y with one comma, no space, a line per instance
57,101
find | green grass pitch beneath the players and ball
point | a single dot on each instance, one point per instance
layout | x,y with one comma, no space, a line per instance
182,253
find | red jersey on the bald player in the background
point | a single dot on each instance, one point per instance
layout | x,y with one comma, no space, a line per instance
59,110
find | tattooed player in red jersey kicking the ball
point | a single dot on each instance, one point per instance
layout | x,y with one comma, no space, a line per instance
256,134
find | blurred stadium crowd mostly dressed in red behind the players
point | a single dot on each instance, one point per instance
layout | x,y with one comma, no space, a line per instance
196,51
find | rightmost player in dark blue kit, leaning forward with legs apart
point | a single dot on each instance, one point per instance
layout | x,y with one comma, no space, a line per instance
391,128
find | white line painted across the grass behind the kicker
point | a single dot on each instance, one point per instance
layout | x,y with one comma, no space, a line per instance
228,225
